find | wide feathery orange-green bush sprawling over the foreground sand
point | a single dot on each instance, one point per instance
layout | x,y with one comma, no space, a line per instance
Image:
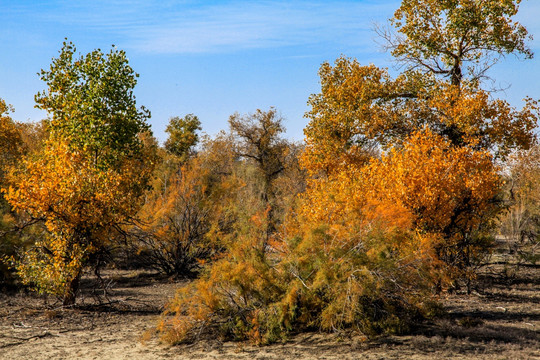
342,261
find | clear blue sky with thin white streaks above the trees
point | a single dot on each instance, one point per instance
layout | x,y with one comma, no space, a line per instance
214,58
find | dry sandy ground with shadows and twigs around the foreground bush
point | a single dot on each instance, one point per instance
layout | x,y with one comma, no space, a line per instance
500,320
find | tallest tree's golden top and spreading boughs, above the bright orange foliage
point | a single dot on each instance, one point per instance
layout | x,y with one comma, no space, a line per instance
360,107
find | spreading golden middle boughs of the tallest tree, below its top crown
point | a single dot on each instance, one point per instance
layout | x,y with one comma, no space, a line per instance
361,109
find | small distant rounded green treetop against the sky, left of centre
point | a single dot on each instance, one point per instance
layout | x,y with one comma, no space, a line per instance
182,135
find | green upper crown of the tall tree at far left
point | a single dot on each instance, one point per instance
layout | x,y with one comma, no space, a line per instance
91,104
